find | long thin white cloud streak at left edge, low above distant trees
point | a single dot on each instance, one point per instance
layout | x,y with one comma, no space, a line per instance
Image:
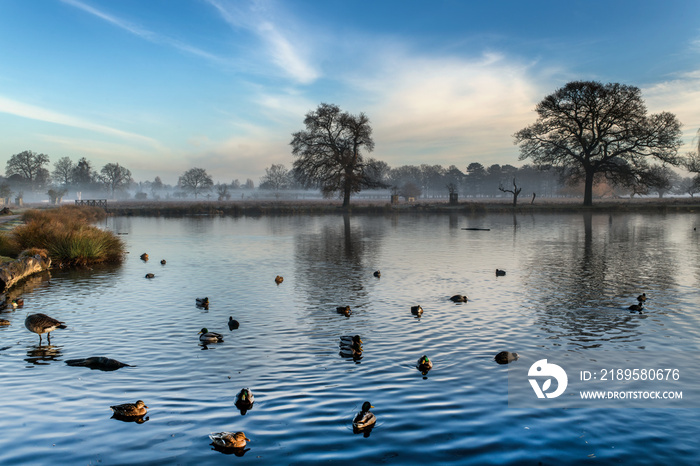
33,112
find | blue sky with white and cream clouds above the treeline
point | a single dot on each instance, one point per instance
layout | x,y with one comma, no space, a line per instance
161,86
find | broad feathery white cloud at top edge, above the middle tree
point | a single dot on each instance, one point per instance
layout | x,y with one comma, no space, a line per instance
286,53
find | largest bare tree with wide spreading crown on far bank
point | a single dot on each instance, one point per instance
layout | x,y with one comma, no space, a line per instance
587,128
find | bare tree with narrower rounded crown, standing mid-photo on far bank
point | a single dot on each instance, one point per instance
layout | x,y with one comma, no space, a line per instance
329,152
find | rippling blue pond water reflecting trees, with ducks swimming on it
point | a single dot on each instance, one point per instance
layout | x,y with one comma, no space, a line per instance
569,280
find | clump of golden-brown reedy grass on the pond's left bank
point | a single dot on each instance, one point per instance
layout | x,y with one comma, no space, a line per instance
66,234
